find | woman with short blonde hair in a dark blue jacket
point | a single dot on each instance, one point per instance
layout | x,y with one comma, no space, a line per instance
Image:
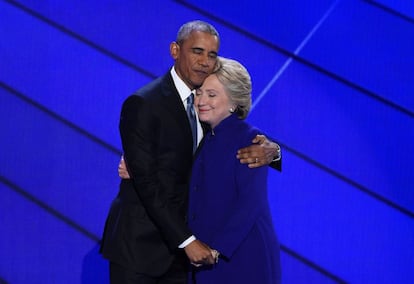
228,203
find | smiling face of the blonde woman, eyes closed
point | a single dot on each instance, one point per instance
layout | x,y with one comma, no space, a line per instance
212,102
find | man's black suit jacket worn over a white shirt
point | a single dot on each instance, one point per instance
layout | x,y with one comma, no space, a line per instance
146,223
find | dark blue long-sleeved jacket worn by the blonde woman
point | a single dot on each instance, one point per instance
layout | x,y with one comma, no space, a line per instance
229,210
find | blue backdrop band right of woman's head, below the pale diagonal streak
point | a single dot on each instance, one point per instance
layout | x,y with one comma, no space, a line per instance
349,133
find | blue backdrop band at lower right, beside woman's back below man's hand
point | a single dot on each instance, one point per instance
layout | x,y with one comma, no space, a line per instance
339,228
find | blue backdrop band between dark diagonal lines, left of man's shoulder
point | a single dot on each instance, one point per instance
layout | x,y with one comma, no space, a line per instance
63,74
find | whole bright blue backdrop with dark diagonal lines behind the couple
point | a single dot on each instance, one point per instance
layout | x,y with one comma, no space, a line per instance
332,80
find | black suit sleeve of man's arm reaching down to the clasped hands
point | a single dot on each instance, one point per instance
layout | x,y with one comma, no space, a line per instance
139,129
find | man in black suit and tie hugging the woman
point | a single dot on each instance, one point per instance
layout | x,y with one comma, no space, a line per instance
146,239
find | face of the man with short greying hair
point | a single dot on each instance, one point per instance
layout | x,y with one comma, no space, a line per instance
195,58
